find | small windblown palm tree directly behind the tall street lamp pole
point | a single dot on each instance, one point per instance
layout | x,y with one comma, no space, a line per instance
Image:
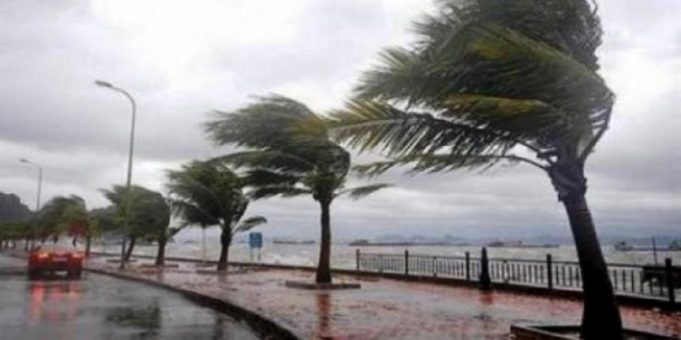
149,212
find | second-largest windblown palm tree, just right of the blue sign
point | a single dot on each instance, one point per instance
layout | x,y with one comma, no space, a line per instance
289,154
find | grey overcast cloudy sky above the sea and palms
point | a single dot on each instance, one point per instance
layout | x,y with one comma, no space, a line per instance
181,59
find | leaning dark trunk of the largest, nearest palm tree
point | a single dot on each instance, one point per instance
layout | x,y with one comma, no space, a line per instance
601,318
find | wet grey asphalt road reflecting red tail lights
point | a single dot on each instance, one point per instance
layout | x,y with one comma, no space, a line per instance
101,307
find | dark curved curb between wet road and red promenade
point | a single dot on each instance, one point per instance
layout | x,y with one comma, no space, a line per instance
263,327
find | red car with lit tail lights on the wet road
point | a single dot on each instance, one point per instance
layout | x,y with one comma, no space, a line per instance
44,259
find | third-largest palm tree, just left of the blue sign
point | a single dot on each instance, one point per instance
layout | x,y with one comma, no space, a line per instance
207,194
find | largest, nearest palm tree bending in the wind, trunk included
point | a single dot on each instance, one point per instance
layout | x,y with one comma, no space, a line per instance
490,81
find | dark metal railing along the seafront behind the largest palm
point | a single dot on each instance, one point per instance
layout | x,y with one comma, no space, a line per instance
656,281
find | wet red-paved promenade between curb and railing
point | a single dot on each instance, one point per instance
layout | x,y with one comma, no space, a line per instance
389,309
